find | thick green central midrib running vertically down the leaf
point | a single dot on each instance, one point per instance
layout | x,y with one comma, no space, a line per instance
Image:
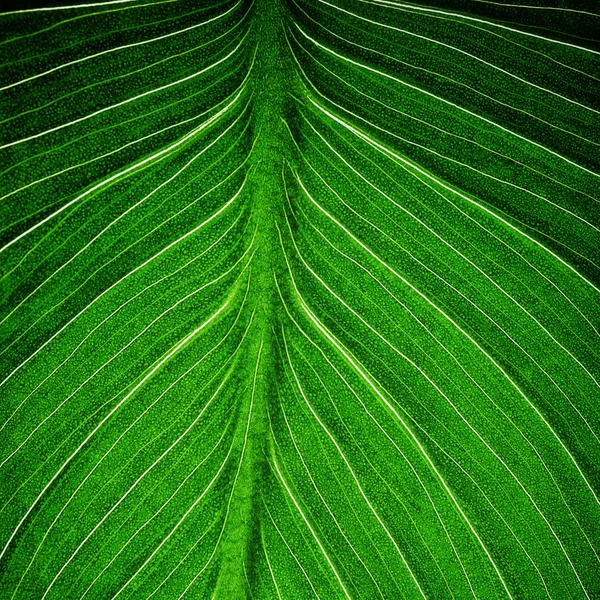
269,83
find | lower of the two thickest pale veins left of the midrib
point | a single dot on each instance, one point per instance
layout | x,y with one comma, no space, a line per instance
160,363
